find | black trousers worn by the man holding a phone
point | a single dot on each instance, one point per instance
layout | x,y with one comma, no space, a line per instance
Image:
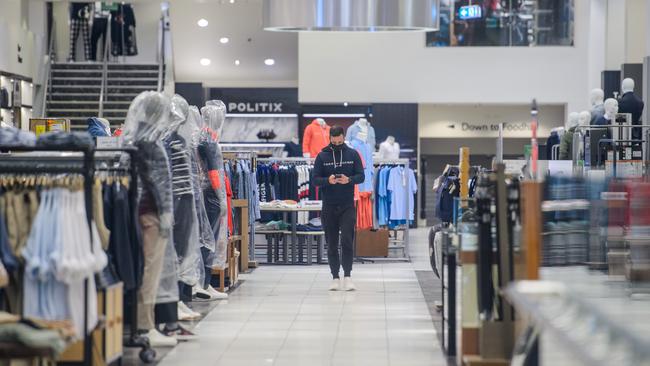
338,224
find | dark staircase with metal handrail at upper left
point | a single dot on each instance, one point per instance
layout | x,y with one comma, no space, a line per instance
76,88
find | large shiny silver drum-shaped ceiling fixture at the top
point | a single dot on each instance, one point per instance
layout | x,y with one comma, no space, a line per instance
351,15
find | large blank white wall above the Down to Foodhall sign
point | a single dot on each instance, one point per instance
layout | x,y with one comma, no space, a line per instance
397,67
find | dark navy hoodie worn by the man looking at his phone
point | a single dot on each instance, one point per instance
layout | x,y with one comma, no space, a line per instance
345,161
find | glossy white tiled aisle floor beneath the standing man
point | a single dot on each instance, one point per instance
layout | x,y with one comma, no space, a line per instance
284,315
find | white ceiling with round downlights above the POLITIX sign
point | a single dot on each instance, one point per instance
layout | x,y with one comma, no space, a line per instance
241,22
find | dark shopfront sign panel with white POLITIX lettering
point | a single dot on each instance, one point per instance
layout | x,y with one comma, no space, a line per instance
258,100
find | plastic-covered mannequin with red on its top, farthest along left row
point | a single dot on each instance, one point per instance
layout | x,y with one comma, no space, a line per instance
214,114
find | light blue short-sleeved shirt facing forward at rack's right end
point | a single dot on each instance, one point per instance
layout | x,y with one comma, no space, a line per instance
402,185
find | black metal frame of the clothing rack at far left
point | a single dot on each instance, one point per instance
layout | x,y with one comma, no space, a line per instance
28,165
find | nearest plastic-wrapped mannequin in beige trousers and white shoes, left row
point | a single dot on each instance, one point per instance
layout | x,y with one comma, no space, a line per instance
146,123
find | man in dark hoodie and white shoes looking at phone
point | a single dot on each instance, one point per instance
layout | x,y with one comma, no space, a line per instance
336,170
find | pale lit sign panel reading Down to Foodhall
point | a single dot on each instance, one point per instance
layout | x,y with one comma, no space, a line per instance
439,121
